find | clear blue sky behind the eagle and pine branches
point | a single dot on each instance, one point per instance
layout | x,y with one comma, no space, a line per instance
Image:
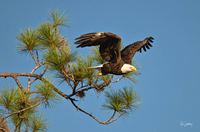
169,84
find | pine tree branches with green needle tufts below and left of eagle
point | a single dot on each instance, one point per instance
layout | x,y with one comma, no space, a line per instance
50,52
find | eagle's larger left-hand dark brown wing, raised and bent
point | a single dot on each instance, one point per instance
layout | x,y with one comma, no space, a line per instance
110,44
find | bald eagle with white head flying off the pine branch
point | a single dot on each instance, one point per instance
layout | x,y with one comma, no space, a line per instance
117,61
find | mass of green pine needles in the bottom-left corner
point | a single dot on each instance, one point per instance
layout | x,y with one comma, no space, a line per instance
21,108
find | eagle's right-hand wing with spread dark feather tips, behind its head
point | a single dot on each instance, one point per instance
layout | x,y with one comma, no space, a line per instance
129,51
